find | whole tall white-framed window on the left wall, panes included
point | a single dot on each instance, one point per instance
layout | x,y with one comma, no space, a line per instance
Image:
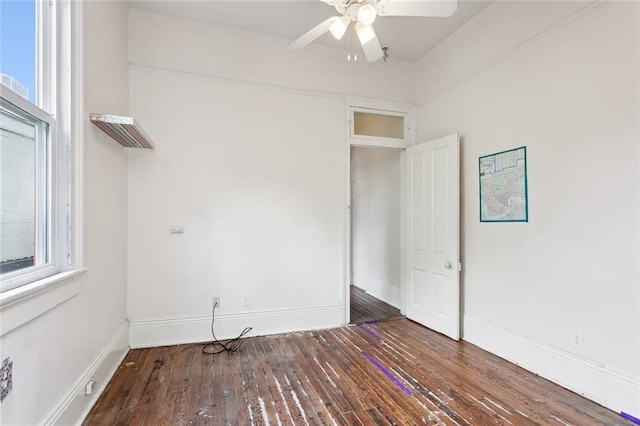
34,183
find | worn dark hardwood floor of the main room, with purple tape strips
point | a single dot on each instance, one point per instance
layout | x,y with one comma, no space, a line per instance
390,372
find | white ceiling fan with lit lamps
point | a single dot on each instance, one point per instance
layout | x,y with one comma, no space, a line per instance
364,12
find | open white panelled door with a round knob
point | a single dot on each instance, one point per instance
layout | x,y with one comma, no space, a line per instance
432,241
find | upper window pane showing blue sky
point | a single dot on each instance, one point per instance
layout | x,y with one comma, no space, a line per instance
18,47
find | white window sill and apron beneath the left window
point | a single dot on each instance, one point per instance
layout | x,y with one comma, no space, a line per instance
22,304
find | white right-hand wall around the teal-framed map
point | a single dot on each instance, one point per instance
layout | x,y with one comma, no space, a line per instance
562,79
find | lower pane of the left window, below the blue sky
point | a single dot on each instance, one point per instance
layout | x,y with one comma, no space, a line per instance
23,192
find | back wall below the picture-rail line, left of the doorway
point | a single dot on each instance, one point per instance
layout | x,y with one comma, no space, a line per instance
256,176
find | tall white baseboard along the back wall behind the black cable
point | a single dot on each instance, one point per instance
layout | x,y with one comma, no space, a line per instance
173,331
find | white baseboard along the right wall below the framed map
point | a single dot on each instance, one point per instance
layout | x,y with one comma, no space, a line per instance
613,389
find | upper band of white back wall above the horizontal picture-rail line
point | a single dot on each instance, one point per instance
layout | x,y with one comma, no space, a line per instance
167,43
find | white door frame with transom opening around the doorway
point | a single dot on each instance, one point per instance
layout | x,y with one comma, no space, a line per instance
377,107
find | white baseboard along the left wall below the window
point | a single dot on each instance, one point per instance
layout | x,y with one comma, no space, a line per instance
74,407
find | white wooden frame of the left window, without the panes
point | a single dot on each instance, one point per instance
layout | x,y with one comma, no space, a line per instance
52,106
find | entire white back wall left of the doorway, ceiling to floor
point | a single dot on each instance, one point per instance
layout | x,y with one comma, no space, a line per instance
251,159
